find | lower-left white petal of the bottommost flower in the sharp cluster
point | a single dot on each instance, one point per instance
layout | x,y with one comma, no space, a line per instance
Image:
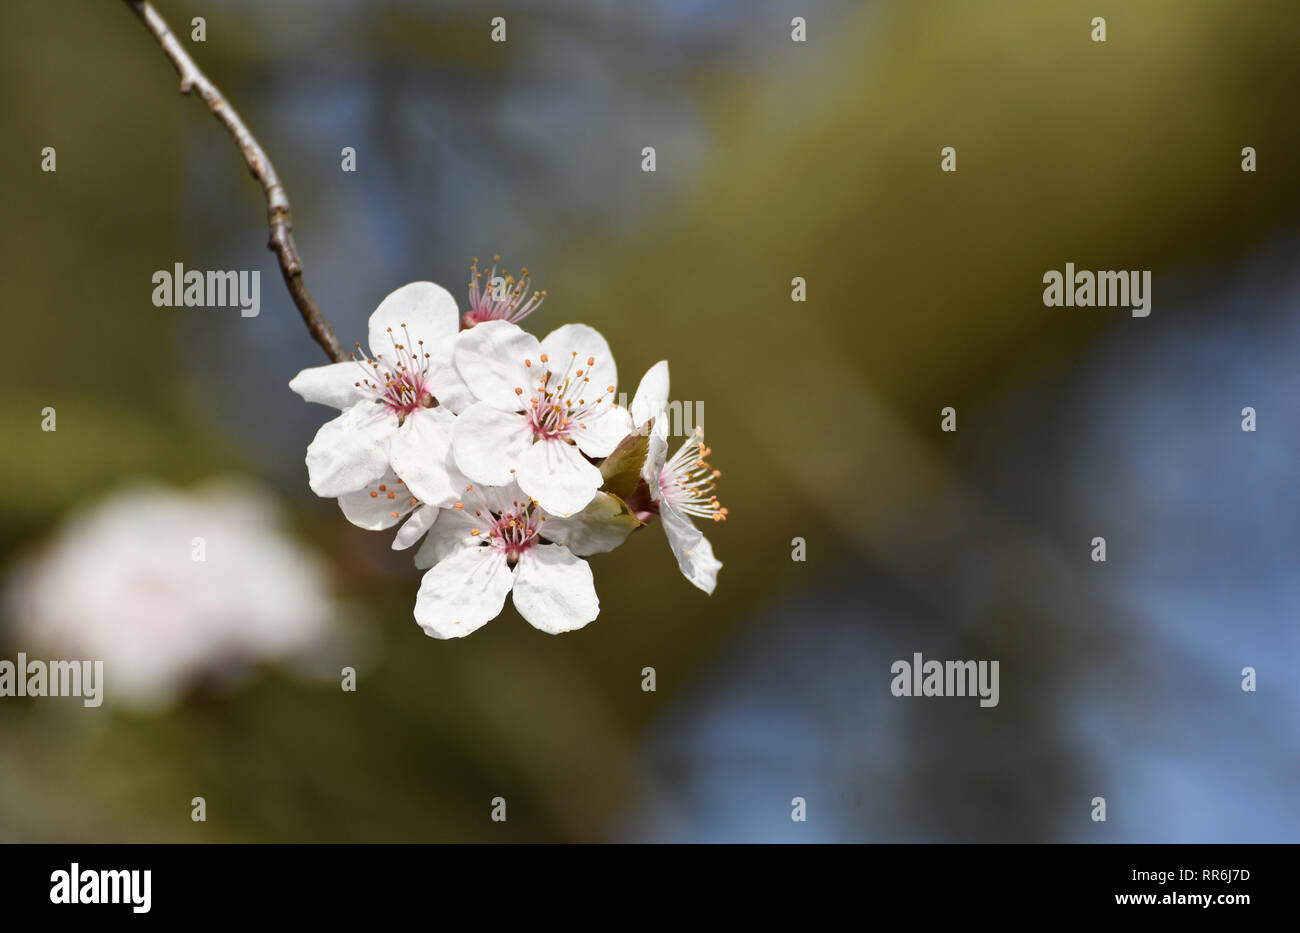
463,592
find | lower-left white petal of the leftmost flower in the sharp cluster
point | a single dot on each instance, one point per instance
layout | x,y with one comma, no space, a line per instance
350,452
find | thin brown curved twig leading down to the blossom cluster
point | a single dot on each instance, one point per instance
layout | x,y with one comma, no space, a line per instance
259,166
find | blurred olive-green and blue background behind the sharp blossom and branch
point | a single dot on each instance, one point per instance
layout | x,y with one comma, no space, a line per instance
774,159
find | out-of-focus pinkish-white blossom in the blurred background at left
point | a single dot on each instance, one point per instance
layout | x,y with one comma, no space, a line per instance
172,588
